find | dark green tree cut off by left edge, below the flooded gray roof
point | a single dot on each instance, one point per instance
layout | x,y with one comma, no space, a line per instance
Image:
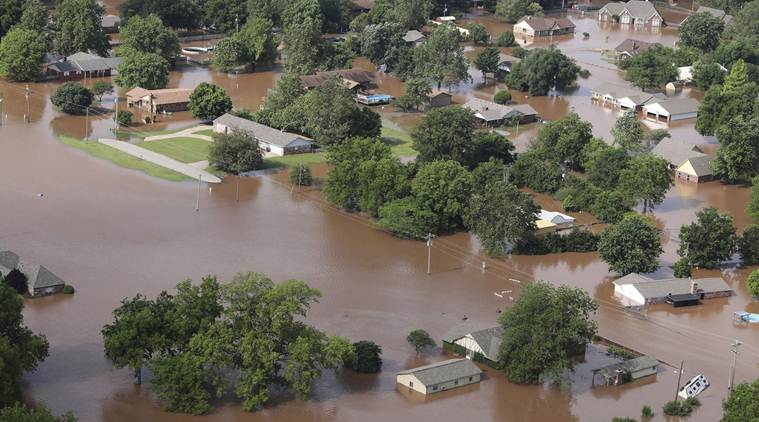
20,349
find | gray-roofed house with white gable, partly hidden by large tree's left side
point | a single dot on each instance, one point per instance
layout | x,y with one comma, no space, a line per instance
476,341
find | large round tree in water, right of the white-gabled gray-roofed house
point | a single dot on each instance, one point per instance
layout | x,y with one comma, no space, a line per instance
544,330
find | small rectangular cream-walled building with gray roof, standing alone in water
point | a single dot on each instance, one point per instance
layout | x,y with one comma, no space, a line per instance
440,376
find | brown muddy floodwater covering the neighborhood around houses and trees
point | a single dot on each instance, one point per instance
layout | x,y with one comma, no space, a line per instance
113,232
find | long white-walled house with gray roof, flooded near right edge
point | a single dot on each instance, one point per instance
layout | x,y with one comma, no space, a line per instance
638,290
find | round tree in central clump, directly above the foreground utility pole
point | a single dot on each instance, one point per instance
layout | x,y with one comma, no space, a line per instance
443,187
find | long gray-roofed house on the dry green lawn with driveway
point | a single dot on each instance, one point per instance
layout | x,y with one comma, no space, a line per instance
271,141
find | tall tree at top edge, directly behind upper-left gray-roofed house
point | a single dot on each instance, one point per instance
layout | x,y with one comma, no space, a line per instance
77,25
